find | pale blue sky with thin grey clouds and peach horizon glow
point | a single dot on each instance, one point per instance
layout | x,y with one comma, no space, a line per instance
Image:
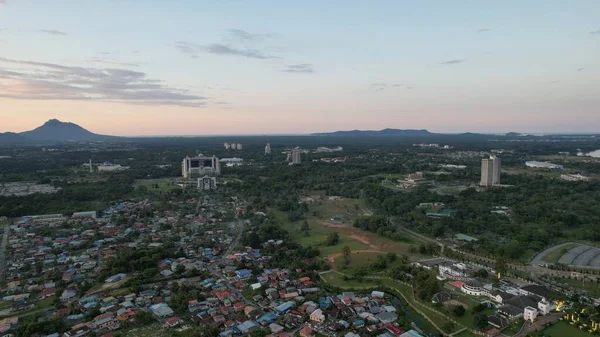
192,67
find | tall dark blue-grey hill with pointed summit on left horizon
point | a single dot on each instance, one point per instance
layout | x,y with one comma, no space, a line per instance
55,130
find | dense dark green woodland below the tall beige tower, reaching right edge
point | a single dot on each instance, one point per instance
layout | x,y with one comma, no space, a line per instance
543,211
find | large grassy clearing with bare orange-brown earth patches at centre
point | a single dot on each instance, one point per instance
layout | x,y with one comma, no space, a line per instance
319,218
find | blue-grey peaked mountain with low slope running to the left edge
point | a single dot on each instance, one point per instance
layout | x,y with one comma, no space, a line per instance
53,131
